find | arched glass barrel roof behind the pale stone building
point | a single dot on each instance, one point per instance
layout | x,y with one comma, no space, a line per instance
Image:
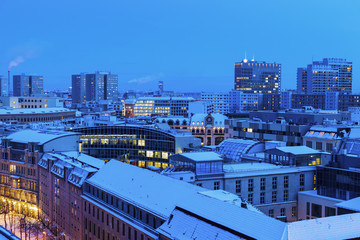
233,148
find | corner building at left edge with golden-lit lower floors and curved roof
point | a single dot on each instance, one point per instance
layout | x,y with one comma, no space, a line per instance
20,154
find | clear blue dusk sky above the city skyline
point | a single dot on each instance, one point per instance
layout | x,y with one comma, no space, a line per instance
191,45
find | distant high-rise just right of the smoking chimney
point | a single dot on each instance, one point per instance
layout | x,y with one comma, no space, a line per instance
27,85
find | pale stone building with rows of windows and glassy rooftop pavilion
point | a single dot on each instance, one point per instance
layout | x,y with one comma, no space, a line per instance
270,188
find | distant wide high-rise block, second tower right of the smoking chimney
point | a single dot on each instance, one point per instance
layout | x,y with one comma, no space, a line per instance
94,87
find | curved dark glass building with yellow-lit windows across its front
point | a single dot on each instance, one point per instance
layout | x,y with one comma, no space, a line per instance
140,145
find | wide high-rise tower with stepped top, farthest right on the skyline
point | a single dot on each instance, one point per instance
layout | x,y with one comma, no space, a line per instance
328,75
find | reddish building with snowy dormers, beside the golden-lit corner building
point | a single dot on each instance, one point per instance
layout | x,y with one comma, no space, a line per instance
61,176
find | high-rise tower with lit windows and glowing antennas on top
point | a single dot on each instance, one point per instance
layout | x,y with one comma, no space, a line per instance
257,77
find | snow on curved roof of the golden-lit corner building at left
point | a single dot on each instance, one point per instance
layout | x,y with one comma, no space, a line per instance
40,136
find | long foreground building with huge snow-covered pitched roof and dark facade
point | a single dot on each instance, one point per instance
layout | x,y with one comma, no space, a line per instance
138,209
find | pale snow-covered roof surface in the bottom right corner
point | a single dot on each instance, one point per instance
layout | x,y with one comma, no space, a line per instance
337,227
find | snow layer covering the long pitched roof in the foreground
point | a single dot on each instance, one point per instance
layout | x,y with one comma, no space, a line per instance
160,194
